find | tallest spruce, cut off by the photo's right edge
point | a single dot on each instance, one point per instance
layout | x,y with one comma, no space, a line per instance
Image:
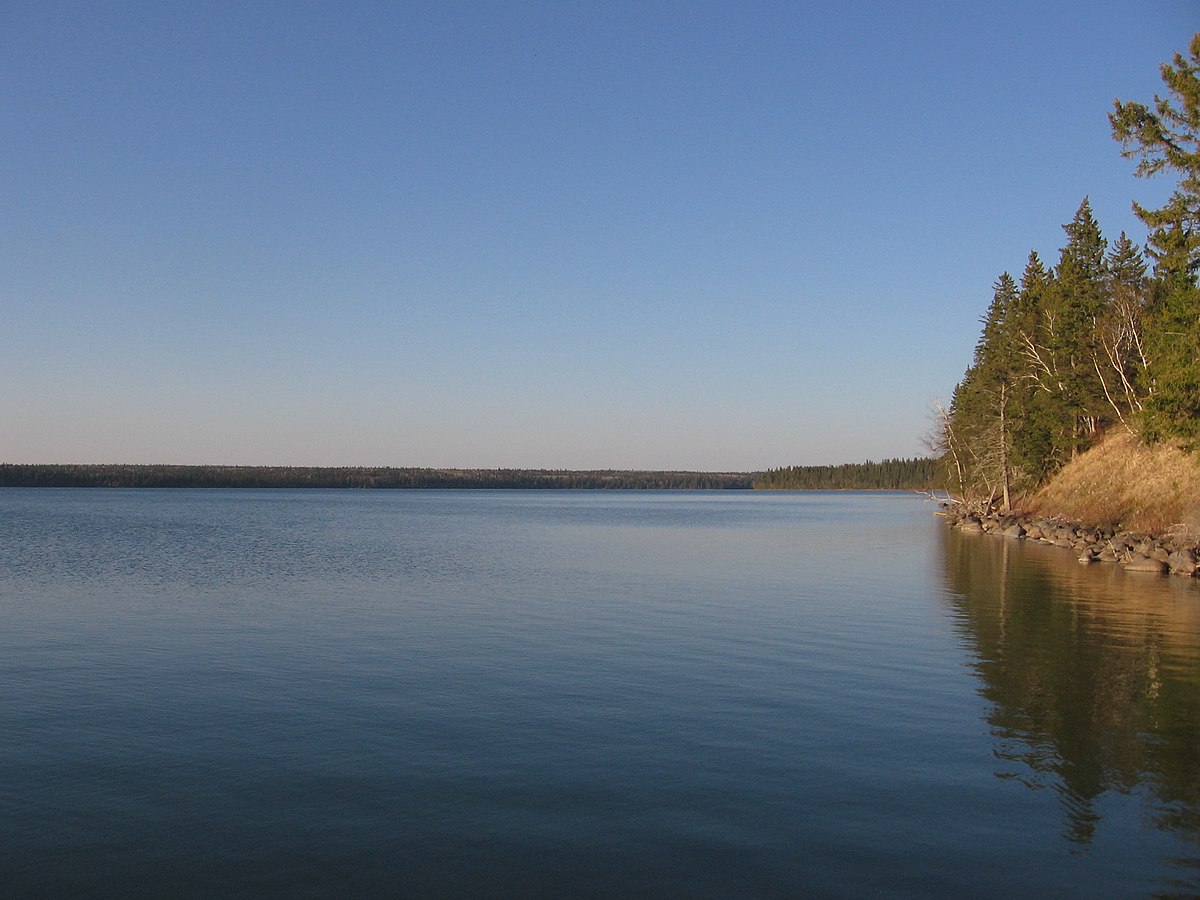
1167,140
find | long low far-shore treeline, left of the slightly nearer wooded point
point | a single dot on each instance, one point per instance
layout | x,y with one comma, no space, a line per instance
35,476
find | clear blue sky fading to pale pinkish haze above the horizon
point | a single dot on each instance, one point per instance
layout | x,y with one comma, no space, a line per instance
704,236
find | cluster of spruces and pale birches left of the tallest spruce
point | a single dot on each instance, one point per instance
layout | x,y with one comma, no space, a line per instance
1060,359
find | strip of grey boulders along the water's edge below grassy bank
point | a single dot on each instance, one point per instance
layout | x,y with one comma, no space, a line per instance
1177,554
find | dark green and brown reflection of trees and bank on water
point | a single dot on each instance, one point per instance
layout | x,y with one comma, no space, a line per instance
1093,677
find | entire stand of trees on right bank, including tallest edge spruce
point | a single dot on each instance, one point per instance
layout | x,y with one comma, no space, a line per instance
1096,343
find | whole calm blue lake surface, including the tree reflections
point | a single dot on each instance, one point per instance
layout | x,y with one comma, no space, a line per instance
581,694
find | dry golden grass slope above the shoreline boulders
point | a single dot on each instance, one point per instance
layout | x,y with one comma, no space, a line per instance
1127,485
